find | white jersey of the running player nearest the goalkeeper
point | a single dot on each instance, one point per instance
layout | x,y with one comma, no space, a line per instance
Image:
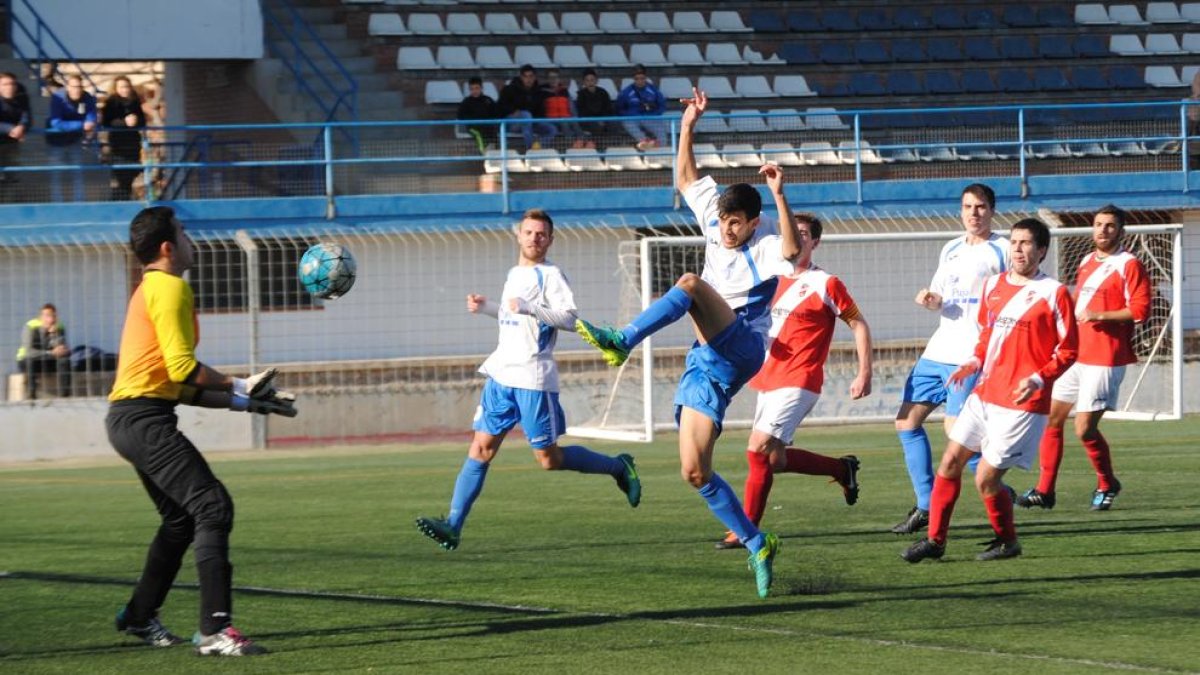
525,354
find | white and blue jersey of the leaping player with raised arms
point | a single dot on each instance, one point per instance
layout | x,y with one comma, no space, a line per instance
746,277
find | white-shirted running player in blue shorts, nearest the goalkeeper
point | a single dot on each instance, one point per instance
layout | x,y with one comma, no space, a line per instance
523,383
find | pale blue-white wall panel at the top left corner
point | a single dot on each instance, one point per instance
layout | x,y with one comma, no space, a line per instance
146,29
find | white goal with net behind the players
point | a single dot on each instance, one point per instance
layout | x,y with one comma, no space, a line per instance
884,273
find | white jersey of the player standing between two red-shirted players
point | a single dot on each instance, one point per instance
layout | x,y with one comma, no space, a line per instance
962,271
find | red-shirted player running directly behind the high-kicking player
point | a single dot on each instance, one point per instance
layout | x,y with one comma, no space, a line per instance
805,313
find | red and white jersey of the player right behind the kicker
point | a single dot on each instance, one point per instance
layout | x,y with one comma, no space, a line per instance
803,316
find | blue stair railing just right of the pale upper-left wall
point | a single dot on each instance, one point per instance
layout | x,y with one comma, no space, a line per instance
337,100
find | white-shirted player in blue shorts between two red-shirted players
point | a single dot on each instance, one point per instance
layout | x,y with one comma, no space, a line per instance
955,294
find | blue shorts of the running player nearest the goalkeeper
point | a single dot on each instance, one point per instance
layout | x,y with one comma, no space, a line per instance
502,408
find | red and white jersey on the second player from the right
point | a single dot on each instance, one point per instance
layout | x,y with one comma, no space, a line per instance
1025,330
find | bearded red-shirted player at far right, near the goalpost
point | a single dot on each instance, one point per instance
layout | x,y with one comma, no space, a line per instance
1112,295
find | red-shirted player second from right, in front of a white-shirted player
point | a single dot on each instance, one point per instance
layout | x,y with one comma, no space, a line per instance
1028,341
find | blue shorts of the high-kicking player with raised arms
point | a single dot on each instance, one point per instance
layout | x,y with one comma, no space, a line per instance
717,371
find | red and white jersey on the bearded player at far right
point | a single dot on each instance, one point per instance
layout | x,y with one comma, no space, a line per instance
1108,284
